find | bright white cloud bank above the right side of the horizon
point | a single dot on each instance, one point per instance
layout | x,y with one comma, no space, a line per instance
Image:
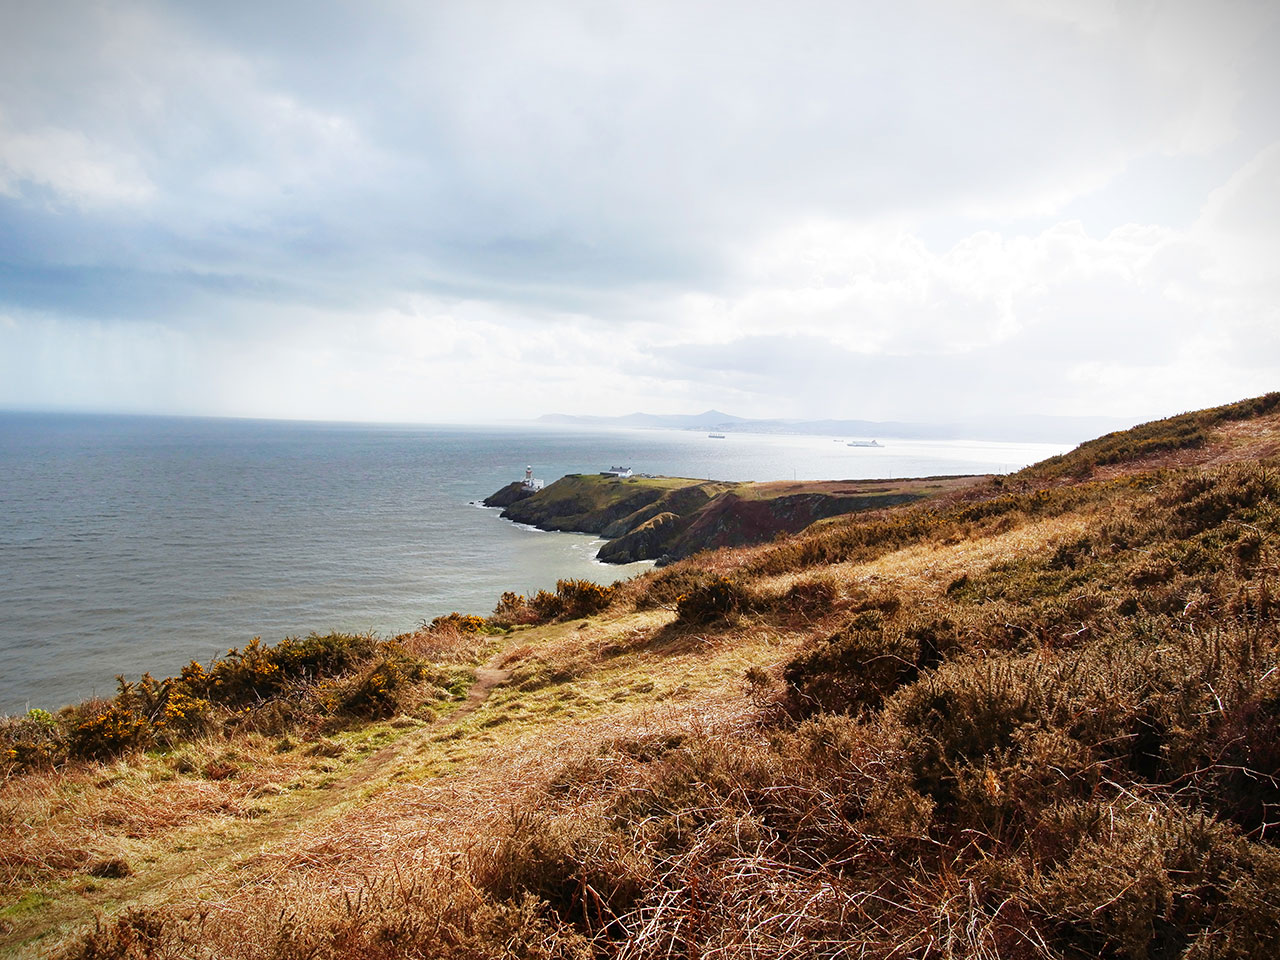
862,322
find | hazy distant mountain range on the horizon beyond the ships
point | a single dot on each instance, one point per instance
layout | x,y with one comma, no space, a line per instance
1014,428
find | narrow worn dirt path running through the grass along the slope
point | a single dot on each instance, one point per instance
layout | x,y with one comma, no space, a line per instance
181,868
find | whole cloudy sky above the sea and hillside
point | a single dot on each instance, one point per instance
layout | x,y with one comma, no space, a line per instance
474,211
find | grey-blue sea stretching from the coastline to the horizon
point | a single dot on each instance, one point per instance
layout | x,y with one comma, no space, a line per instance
132,545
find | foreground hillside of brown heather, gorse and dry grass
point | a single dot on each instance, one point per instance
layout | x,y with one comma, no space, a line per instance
1032,717
